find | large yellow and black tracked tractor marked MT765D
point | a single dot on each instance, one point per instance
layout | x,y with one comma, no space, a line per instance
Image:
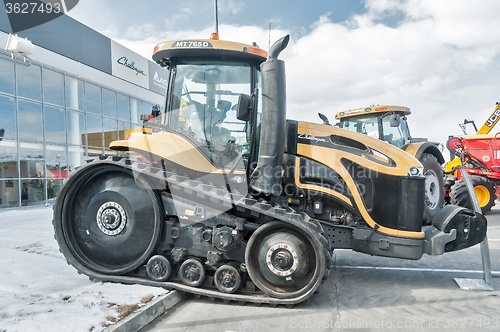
233,201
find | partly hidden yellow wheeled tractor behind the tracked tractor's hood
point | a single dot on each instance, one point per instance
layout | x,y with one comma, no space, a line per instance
389,124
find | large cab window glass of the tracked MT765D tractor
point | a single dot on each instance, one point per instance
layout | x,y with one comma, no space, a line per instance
205,95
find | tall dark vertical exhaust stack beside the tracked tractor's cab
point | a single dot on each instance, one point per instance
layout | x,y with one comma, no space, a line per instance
266,178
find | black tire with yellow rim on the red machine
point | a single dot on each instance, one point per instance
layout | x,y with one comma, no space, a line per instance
485,192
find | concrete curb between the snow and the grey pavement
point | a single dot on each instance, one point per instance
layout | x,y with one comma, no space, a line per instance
145,315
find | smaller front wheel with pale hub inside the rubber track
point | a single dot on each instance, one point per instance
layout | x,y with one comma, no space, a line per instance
283,261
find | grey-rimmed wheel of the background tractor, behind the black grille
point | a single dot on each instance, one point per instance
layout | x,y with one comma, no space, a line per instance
434,187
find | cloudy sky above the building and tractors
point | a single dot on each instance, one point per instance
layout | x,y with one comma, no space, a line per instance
438,57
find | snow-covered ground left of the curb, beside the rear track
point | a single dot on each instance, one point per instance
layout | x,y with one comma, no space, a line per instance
39,291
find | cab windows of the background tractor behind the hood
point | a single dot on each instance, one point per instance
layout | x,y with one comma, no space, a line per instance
397,136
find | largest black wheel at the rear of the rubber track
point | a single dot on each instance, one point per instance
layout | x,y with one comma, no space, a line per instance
104,221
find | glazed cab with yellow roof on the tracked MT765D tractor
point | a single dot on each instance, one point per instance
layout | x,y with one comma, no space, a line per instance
207,78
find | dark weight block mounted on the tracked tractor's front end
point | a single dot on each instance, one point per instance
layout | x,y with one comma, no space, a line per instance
454,228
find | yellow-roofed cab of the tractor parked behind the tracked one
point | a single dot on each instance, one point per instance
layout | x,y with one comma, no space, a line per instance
387,123
